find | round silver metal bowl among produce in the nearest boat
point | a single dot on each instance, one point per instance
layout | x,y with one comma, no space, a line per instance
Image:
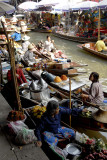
73,149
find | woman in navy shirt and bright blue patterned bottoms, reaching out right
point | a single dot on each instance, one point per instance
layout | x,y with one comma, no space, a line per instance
50,126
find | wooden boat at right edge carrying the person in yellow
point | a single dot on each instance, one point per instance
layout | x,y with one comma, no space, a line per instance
90,48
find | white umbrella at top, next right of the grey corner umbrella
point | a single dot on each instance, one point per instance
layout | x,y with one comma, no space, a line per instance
28,6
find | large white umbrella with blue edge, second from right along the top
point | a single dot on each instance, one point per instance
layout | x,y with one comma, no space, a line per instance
84,5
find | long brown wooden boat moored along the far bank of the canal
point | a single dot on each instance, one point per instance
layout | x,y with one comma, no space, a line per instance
75,38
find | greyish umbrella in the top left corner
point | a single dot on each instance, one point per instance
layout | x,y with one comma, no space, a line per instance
6,8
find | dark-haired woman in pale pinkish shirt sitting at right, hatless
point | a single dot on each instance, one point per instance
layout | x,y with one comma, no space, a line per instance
95,93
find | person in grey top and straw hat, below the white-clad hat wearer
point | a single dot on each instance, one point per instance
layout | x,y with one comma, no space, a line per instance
28,56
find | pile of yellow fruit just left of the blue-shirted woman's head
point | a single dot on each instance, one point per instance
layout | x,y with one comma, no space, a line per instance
38,111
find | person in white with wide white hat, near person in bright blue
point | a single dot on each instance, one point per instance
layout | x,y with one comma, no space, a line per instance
25,43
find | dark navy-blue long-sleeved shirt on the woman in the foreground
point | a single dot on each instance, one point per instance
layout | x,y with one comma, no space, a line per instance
50,124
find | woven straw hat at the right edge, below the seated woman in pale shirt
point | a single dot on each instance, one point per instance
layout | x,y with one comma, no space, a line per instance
101,114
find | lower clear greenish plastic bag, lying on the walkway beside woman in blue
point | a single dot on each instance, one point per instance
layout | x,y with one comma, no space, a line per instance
25,136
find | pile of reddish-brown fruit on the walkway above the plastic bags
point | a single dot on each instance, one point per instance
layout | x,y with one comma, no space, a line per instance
15,116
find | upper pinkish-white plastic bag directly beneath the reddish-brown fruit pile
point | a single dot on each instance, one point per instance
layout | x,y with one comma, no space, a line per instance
17,126
